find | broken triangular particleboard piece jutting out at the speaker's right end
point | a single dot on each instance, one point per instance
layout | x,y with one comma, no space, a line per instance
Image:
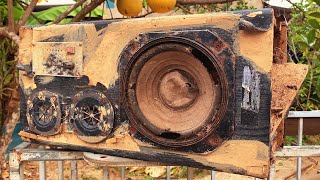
286,82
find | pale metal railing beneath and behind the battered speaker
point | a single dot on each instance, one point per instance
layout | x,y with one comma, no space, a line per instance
22,154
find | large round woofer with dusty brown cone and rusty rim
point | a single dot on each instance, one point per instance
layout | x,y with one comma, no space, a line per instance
176,92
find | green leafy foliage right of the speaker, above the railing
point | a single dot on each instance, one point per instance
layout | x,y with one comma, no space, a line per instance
304,40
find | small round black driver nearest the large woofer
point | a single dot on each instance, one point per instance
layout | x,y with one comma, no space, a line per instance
92,115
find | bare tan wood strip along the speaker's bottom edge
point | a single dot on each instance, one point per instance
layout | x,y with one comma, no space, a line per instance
252,156
